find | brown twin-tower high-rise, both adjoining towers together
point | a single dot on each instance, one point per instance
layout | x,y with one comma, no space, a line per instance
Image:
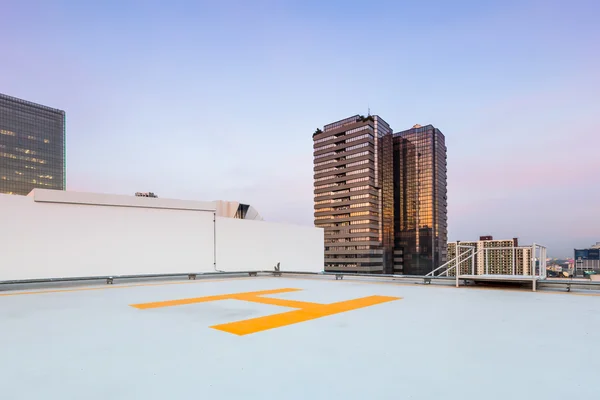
381,197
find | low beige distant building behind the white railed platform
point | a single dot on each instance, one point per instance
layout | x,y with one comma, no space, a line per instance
498,257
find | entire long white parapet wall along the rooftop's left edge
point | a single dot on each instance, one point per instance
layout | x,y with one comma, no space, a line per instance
55,234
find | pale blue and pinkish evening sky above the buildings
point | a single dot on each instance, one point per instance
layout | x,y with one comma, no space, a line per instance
218,100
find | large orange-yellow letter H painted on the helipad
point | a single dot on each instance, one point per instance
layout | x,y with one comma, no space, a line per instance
305,310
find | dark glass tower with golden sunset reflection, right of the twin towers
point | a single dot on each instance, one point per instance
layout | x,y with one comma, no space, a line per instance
420,208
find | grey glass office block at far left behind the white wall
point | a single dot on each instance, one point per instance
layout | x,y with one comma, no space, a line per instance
32,147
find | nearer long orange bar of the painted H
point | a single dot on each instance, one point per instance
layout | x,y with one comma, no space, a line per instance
260,324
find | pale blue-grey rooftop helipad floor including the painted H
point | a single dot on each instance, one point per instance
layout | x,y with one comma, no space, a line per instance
296,338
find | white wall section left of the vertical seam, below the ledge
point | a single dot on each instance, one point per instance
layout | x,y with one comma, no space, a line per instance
53,240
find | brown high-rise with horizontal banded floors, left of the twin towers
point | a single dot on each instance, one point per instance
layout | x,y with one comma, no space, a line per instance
353,191
